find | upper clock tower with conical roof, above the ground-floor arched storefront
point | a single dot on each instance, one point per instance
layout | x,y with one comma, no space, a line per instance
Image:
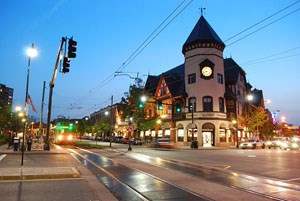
204,68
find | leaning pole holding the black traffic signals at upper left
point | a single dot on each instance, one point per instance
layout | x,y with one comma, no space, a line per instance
51,84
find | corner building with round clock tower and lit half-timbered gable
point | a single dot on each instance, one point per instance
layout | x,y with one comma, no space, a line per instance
199,87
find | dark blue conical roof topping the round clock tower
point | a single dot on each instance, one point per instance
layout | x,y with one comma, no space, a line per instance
202,32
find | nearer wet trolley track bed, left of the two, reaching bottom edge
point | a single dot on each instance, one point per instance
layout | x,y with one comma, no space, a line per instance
131,184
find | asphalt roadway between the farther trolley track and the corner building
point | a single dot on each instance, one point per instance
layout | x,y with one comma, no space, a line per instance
274,163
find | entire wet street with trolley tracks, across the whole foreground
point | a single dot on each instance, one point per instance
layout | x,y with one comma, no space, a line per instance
156,174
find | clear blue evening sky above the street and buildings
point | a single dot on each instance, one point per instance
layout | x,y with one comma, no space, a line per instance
108,32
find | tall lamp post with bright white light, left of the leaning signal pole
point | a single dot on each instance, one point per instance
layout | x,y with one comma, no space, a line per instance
31,52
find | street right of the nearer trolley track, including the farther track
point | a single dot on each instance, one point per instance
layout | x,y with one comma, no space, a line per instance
266,172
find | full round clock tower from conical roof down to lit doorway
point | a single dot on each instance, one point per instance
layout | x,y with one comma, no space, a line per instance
204,85
